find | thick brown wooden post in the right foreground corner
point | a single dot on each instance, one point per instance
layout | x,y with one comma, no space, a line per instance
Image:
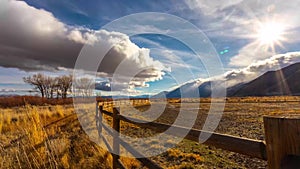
282,141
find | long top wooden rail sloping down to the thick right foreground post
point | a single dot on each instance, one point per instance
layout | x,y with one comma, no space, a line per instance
253,148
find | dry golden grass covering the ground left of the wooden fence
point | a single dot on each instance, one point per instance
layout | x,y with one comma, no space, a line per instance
25,142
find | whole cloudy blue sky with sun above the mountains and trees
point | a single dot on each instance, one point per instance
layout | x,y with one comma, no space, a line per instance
248,38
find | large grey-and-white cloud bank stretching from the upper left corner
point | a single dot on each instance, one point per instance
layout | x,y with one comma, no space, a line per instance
33,39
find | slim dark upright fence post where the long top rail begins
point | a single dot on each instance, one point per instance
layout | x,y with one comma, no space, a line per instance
116,141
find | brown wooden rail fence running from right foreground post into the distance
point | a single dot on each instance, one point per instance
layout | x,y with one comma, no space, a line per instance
281,148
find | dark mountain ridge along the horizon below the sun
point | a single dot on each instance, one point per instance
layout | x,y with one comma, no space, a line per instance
285,81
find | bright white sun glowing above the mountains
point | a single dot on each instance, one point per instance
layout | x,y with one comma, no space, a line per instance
270,34
